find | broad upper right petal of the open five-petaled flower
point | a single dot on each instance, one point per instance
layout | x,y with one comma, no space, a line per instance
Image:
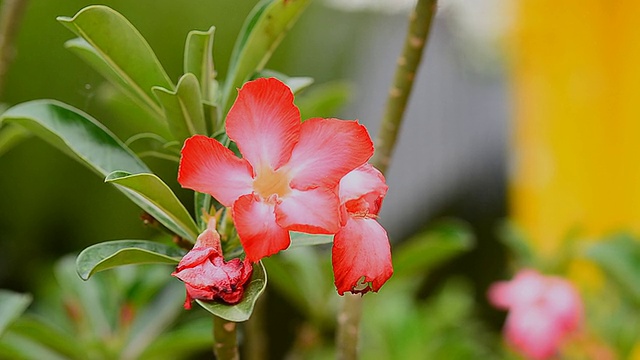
328,149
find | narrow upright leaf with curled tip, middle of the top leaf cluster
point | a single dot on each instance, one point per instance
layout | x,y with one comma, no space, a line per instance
198,60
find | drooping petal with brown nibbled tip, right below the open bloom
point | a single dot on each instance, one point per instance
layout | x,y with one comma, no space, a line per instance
361,249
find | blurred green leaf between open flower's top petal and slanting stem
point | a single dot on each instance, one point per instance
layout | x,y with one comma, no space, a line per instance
323,100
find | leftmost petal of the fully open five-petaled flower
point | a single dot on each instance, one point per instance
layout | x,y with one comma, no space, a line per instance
208,167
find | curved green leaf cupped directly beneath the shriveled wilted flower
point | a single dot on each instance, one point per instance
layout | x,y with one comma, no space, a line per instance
241,311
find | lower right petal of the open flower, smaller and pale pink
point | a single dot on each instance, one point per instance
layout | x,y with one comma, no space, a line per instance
314,211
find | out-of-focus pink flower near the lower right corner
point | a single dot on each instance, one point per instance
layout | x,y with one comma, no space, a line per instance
543,311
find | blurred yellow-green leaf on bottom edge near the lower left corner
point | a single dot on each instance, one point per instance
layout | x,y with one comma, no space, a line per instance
50,336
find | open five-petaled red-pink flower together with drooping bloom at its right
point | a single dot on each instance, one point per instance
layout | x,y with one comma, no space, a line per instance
309,176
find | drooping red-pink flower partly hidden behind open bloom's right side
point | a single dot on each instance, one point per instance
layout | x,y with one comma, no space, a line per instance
361,253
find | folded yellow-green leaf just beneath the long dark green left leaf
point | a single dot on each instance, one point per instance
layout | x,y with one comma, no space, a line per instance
162,203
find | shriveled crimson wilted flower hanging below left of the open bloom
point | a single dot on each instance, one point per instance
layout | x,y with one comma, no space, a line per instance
207,276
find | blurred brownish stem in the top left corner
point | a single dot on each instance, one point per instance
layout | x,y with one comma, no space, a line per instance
10,17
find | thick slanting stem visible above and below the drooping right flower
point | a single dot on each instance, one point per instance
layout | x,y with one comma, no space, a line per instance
407,66
